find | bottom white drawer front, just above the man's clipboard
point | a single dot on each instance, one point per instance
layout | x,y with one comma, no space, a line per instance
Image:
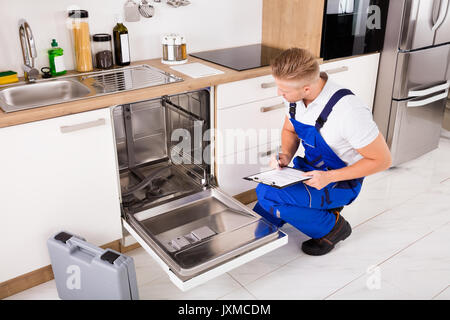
231,169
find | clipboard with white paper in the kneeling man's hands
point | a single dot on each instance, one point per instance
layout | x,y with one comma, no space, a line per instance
279,178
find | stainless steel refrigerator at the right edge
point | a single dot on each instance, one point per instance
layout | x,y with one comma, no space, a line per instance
413,78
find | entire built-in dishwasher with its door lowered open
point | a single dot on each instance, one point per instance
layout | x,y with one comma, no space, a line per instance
170,201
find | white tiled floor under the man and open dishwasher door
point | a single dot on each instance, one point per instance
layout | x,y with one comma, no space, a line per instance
399,249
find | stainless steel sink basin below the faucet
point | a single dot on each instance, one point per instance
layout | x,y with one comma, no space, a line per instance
41,93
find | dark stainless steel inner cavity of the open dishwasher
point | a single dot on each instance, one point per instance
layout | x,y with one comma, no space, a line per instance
153,167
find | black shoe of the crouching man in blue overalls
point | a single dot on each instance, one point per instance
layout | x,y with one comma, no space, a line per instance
321,246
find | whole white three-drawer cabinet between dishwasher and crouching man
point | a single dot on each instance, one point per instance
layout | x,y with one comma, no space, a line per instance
249,120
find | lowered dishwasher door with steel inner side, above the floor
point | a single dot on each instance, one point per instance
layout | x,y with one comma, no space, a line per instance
202,236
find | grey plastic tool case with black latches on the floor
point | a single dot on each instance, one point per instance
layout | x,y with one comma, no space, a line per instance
86,272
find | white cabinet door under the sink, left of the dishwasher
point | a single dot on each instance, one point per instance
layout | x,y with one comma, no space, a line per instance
57,174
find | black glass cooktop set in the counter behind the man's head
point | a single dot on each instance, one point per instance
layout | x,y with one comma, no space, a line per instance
240,58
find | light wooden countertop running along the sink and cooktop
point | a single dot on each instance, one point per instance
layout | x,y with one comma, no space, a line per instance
62,109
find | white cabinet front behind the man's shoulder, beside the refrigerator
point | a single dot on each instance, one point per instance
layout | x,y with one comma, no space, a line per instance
358,74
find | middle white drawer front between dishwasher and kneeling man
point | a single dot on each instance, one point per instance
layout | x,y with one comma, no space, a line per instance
249,125
